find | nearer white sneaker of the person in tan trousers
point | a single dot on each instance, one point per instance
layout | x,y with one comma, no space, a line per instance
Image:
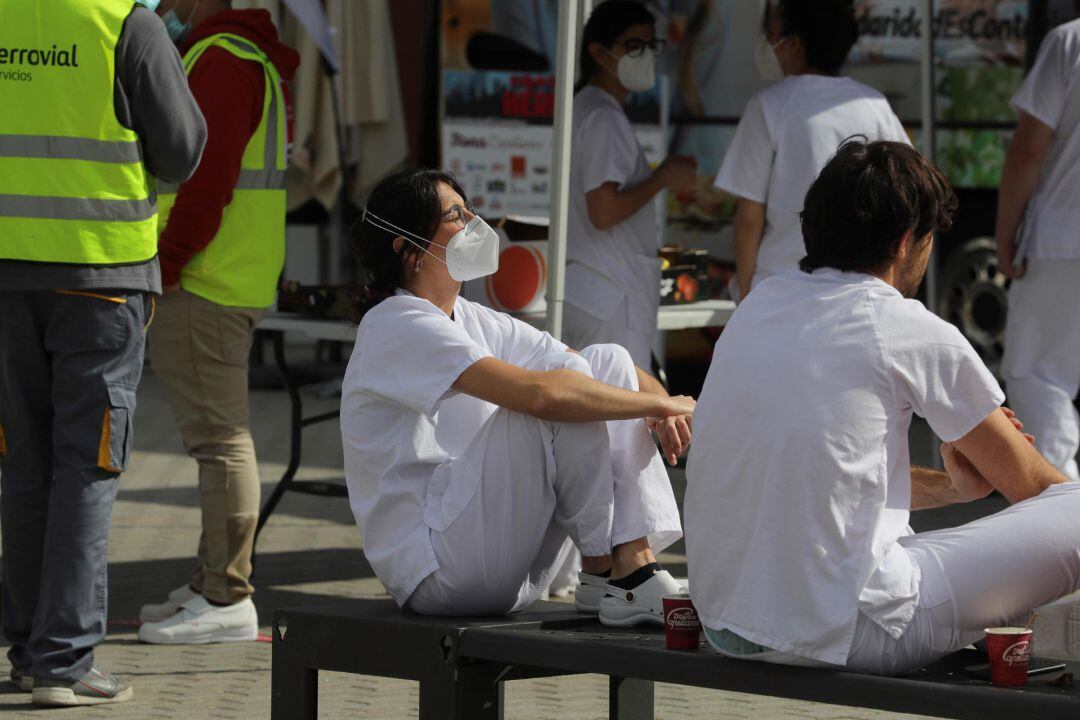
199,622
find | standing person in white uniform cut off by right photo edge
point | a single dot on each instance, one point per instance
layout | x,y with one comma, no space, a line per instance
1042,184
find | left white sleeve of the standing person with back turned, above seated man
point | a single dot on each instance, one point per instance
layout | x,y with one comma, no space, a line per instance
748,165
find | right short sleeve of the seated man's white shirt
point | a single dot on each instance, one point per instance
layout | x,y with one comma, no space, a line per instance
941,376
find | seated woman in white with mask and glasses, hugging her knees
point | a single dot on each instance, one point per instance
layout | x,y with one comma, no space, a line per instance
479,451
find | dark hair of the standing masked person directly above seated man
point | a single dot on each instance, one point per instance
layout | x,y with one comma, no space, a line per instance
829,31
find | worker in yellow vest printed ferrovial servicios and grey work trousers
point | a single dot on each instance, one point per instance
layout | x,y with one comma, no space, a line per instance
94,110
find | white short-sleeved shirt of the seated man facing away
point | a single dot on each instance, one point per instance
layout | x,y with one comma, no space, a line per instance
800,478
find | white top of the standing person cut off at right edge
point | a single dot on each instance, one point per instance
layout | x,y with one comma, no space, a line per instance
1051,94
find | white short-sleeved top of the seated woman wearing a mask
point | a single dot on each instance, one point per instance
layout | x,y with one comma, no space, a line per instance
402,423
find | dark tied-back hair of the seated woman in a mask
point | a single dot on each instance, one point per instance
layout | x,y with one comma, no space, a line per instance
409,200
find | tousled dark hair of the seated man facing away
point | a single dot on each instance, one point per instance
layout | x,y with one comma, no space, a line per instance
866,200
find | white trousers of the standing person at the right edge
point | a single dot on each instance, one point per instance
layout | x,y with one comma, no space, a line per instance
1042,364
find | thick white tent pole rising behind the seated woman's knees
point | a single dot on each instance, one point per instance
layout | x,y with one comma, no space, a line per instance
561,164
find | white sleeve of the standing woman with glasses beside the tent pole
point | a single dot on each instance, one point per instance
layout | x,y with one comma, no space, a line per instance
609,150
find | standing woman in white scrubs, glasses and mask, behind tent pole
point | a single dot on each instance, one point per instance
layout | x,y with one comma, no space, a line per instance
613,267
